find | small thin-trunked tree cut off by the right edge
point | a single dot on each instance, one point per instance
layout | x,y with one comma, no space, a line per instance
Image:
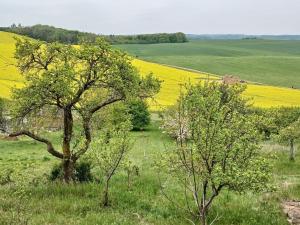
289,136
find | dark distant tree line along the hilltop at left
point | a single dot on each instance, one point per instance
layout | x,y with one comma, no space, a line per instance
53,34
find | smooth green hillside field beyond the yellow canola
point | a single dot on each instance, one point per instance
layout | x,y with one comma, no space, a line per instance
265,61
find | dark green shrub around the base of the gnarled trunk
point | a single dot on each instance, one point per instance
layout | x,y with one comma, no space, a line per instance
82,172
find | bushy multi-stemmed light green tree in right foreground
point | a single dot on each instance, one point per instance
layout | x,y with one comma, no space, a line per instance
221,149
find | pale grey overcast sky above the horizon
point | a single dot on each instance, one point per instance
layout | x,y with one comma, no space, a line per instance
152,16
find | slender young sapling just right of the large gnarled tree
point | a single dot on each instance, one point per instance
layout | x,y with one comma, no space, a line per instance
108,152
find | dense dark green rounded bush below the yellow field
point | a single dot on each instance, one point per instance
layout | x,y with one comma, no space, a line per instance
140,116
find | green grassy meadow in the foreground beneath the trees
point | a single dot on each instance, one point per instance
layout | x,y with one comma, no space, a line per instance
56,203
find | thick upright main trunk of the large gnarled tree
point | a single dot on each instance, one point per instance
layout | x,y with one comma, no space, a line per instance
68,164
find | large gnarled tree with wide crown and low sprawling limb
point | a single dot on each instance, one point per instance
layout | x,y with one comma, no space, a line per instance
78,80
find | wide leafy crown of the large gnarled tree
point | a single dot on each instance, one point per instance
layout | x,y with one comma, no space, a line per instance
84,77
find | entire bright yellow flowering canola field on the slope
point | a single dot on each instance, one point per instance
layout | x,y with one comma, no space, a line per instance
173,79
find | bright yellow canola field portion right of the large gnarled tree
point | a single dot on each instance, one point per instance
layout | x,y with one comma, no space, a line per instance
261,95
